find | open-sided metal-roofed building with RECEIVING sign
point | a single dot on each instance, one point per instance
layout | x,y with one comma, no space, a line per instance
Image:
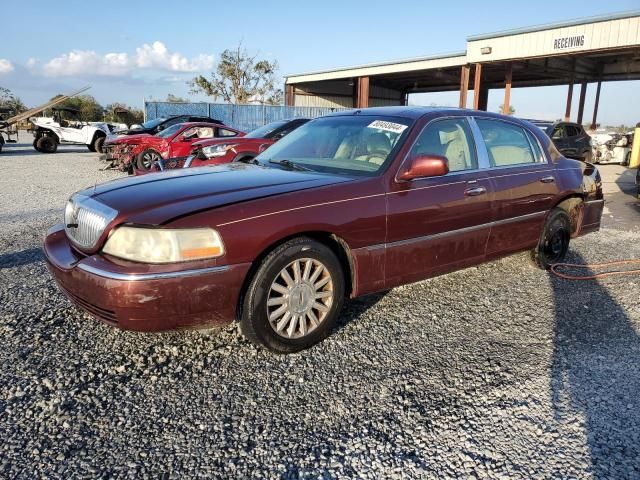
573,53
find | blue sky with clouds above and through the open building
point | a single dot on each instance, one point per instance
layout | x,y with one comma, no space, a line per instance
141,49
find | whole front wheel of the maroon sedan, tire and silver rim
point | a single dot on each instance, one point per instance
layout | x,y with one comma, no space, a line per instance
294,298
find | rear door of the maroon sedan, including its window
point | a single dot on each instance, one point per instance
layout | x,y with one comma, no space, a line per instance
524,182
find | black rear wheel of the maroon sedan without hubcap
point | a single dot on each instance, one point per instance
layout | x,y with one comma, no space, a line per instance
554,240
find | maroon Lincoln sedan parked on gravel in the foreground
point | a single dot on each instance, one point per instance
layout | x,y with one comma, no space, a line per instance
348,204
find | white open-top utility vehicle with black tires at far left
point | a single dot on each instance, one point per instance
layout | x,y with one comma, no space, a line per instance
49,132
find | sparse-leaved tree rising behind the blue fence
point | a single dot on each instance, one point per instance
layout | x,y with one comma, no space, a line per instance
241,78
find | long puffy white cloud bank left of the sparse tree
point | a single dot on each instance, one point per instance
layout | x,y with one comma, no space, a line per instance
155,56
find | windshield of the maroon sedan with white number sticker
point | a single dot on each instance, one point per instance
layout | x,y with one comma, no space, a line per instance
350,144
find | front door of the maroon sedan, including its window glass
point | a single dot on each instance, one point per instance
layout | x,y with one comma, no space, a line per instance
442,223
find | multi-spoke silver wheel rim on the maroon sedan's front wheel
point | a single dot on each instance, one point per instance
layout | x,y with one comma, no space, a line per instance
300,298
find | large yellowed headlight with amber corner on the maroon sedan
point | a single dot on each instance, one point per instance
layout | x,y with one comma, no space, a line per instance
159,245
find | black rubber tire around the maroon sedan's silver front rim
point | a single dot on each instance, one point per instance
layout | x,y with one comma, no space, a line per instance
255,310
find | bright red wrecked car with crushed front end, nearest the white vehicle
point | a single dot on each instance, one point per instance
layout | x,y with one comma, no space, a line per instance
141,151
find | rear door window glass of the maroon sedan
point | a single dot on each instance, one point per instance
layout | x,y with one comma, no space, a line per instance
507,144
